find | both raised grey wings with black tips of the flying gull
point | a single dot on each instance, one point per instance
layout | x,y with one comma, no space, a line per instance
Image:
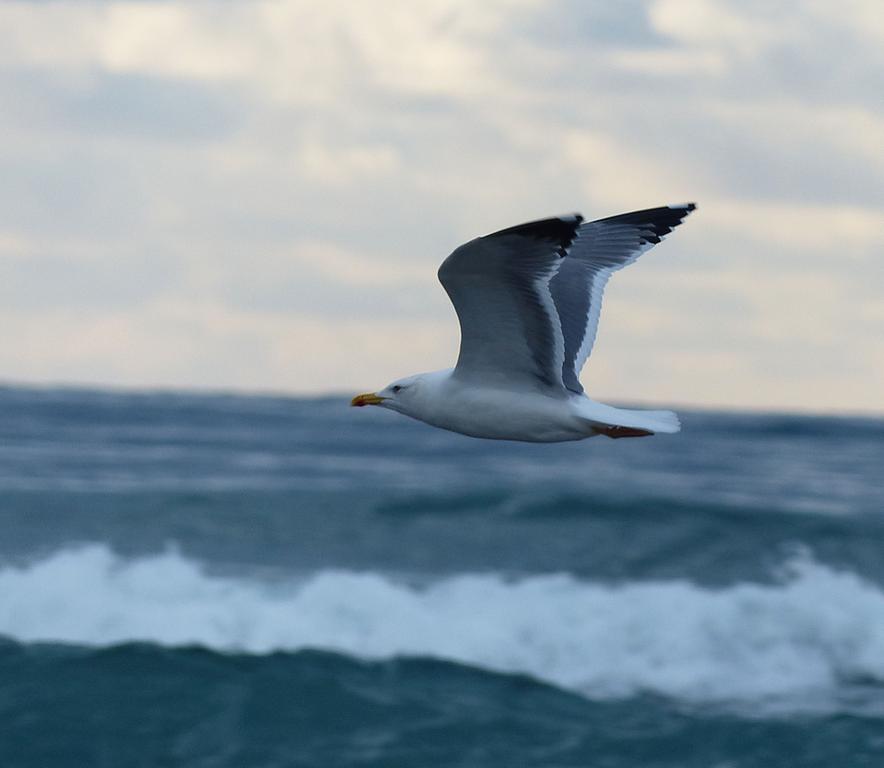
528,297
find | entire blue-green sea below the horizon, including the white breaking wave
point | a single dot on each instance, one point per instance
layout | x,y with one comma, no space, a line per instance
213,580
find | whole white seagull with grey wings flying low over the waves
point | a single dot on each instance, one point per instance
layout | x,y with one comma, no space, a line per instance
528,300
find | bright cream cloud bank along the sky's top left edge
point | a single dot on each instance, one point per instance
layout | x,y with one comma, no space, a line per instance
289,50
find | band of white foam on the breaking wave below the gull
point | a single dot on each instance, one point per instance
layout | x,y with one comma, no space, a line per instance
747,642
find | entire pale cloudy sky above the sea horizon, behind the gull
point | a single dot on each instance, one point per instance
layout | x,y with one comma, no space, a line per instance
256,195
